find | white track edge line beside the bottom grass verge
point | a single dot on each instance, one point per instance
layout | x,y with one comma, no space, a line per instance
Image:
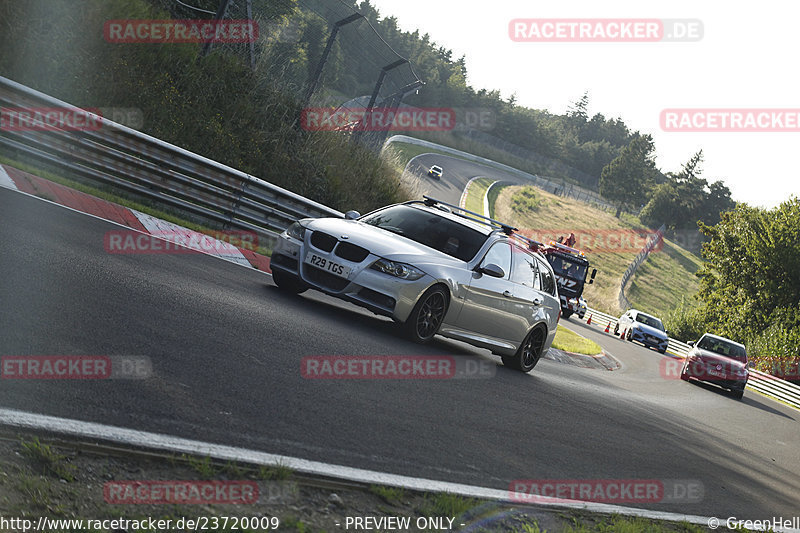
157,441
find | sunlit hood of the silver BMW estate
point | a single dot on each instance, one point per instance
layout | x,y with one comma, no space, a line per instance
382,242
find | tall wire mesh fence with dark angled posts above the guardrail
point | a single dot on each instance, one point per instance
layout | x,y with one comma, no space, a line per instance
325,52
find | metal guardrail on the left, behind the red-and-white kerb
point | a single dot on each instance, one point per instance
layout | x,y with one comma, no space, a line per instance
147,167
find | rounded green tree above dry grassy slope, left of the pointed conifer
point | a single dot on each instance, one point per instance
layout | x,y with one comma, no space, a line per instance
627,178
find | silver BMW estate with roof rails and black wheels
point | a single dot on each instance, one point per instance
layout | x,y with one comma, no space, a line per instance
434,267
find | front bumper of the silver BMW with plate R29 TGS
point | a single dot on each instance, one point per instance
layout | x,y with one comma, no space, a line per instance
381,293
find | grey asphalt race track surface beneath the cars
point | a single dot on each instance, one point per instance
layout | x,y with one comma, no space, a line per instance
226,347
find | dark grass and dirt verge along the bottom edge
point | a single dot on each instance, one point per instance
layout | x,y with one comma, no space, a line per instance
300,502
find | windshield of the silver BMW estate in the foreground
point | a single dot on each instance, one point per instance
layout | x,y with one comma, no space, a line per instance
430,229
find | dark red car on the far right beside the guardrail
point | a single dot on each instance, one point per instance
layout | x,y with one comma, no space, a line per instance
717,360
